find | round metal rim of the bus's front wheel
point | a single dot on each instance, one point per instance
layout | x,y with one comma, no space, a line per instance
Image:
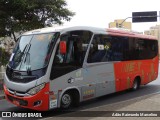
66,100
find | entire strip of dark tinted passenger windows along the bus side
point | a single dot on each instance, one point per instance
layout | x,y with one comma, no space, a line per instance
106,48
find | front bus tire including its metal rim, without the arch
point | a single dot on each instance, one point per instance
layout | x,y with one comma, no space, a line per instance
66,100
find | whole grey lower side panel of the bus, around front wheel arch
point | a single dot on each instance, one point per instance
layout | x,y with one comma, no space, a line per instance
91,82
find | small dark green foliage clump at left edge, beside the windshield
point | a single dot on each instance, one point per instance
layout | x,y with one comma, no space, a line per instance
4,57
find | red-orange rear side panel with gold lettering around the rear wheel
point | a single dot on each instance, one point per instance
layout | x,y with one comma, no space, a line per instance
126,72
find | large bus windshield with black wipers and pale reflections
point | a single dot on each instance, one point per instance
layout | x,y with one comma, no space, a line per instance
32,51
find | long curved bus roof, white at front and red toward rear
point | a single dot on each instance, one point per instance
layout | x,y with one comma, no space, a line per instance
110,31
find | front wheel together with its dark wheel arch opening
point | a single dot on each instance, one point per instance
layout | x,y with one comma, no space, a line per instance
70,98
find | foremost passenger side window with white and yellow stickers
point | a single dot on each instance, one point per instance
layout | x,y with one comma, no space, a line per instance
101,49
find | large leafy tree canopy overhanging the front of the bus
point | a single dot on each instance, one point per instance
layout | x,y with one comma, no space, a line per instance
24,15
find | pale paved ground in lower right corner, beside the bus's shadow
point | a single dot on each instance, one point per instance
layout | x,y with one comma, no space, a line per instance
142,108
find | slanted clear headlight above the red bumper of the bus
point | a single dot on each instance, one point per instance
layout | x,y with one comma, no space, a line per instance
36,89
